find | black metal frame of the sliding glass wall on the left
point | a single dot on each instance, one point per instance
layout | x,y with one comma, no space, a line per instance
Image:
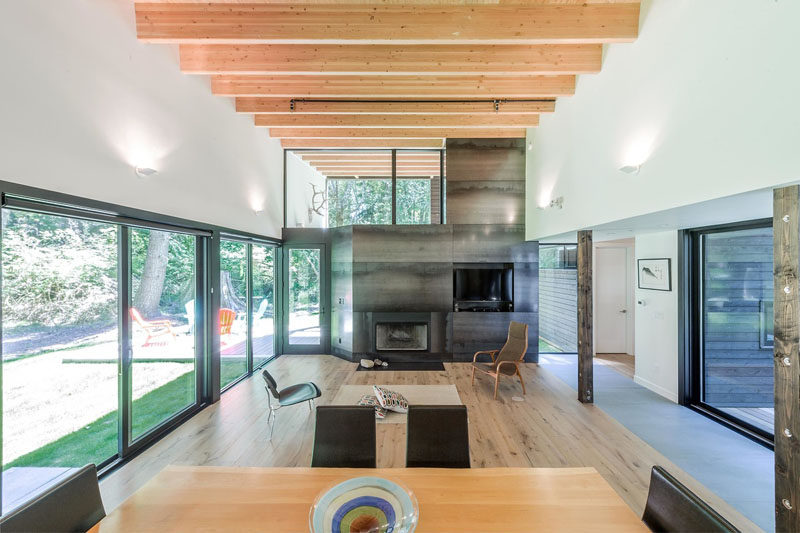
34,199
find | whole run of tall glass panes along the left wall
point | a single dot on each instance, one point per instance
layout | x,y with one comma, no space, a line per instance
104,325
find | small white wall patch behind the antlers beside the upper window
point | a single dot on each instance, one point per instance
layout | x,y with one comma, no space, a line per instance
299,177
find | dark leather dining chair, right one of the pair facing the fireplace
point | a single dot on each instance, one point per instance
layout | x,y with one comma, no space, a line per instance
437,437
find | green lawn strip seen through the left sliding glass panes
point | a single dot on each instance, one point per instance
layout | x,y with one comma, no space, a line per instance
97,441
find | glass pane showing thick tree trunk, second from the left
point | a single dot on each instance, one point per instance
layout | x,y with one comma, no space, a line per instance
163,334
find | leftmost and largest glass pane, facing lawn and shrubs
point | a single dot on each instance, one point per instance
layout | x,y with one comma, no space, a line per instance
60,349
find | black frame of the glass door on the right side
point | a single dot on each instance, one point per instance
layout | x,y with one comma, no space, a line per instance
691,376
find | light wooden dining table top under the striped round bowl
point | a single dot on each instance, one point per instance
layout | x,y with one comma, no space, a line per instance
480,500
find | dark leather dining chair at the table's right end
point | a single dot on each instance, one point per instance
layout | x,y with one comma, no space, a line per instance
671,507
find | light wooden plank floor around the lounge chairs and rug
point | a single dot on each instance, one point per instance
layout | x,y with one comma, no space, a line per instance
550,428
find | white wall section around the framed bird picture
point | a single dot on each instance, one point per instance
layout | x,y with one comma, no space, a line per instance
657,320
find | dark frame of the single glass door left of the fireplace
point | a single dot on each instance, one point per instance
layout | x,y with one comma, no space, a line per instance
324,315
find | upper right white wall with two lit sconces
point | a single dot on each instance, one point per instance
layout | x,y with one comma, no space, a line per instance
707,97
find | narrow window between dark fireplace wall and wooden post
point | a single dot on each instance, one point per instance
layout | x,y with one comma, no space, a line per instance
558,298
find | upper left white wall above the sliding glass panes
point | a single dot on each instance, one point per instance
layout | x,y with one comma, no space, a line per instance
82,102
